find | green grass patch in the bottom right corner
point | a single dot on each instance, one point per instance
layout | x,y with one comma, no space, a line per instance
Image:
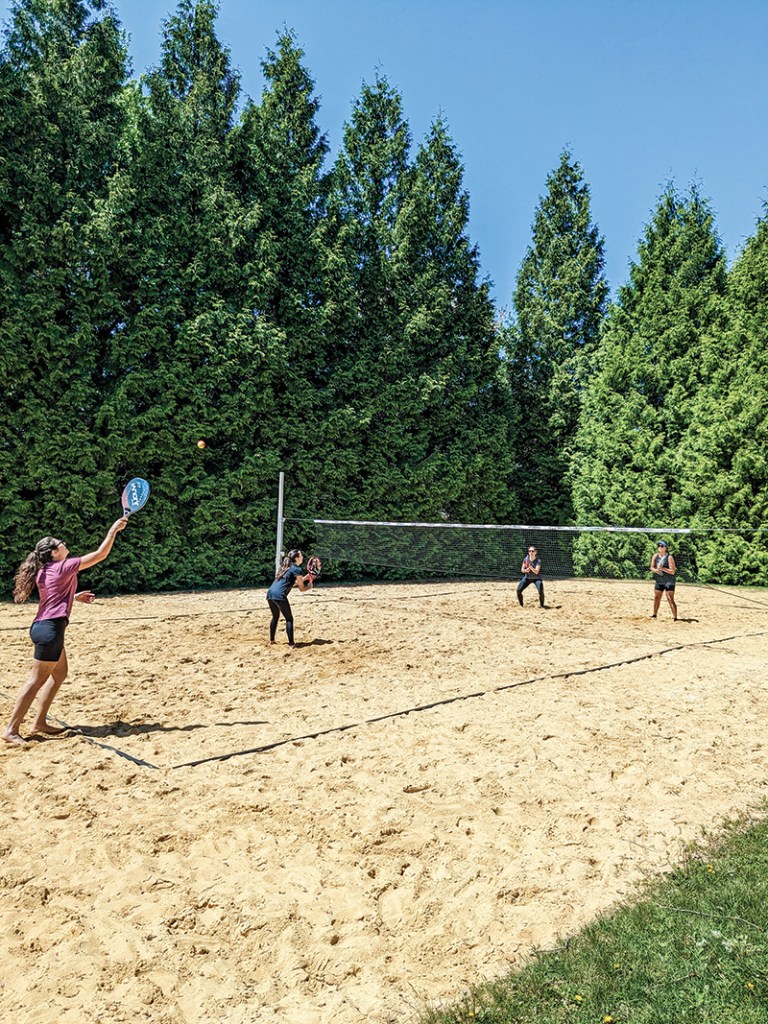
693,950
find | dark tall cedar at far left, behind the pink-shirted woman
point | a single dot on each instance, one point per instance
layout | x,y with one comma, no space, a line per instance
62,69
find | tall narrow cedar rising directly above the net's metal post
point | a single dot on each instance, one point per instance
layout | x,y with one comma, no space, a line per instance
280,153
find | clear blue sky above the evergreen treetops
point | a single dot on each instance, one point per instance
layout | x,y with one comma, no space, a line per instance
643,93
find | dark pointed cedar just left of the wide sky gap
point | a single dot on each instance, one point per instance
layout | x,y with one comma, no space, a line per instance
456,457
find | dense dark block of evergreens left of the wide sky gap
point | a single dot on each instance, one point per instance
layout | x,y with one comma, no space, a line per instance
176,268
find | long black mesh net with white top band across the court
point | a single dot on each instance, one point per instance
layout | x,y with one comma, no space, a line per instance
567,552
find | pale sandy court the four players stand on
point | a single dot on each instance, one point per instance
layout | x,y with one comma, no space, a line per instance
432,785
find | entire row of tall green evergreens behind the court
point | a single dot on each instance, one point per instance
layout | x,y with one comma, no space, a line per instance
179,262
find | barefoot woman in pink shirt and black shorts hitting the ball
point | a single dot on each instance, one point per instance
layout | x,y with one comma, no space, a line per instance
56,574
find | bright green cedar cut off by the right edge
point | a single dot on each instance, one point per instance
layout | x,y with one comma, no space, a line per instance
722,461
